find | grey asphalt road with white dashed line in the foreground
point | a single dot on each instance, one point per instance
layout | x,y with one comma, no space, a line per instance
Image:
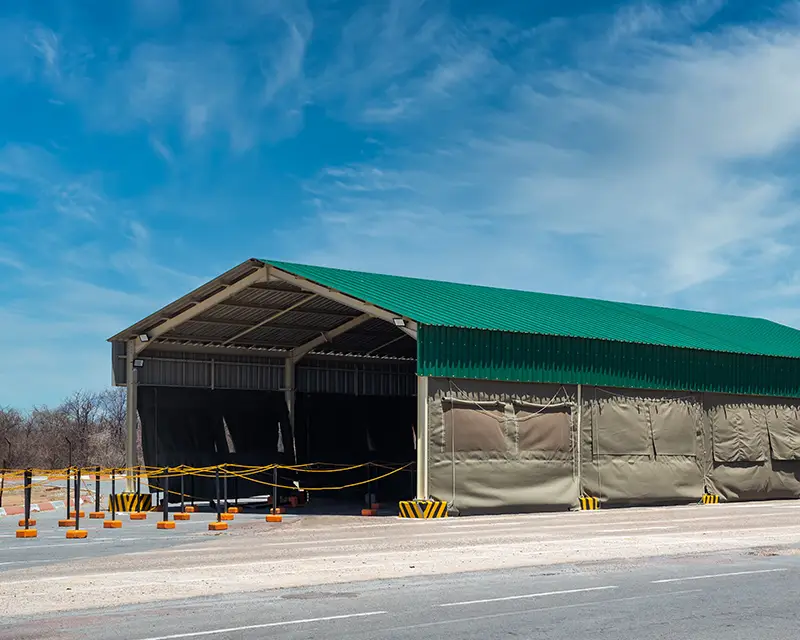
728,596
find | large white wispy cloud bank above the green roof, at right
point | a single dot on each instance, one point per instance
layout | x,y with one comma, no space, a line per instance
647,170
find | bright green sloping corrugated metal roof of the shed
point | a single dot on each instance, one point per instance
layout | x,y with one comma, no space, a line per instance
447,304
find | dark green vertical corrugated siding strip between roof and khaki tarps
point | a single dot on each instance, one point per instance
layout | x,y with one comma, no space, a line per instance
464,353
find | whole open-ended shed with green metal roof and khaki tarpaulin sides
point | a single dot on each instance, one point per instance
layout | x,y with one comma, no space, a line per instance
506,400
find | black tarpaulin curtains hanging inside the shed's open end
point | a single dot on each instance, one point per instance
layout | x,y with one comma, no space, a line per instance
185,427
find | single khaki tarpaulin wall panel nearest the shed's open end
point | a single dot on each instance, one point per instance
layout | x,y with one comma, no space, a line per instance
497,446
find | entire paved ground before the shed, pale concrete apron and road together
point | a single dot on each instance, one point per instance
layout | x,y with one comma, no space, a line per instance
388,576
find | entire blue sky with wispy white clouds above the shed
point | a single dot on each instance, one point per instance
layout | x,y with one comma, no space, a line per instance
635,151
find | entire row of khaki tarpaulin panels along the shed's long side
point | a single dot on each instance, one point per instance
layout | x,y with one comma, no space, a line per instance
507,446
